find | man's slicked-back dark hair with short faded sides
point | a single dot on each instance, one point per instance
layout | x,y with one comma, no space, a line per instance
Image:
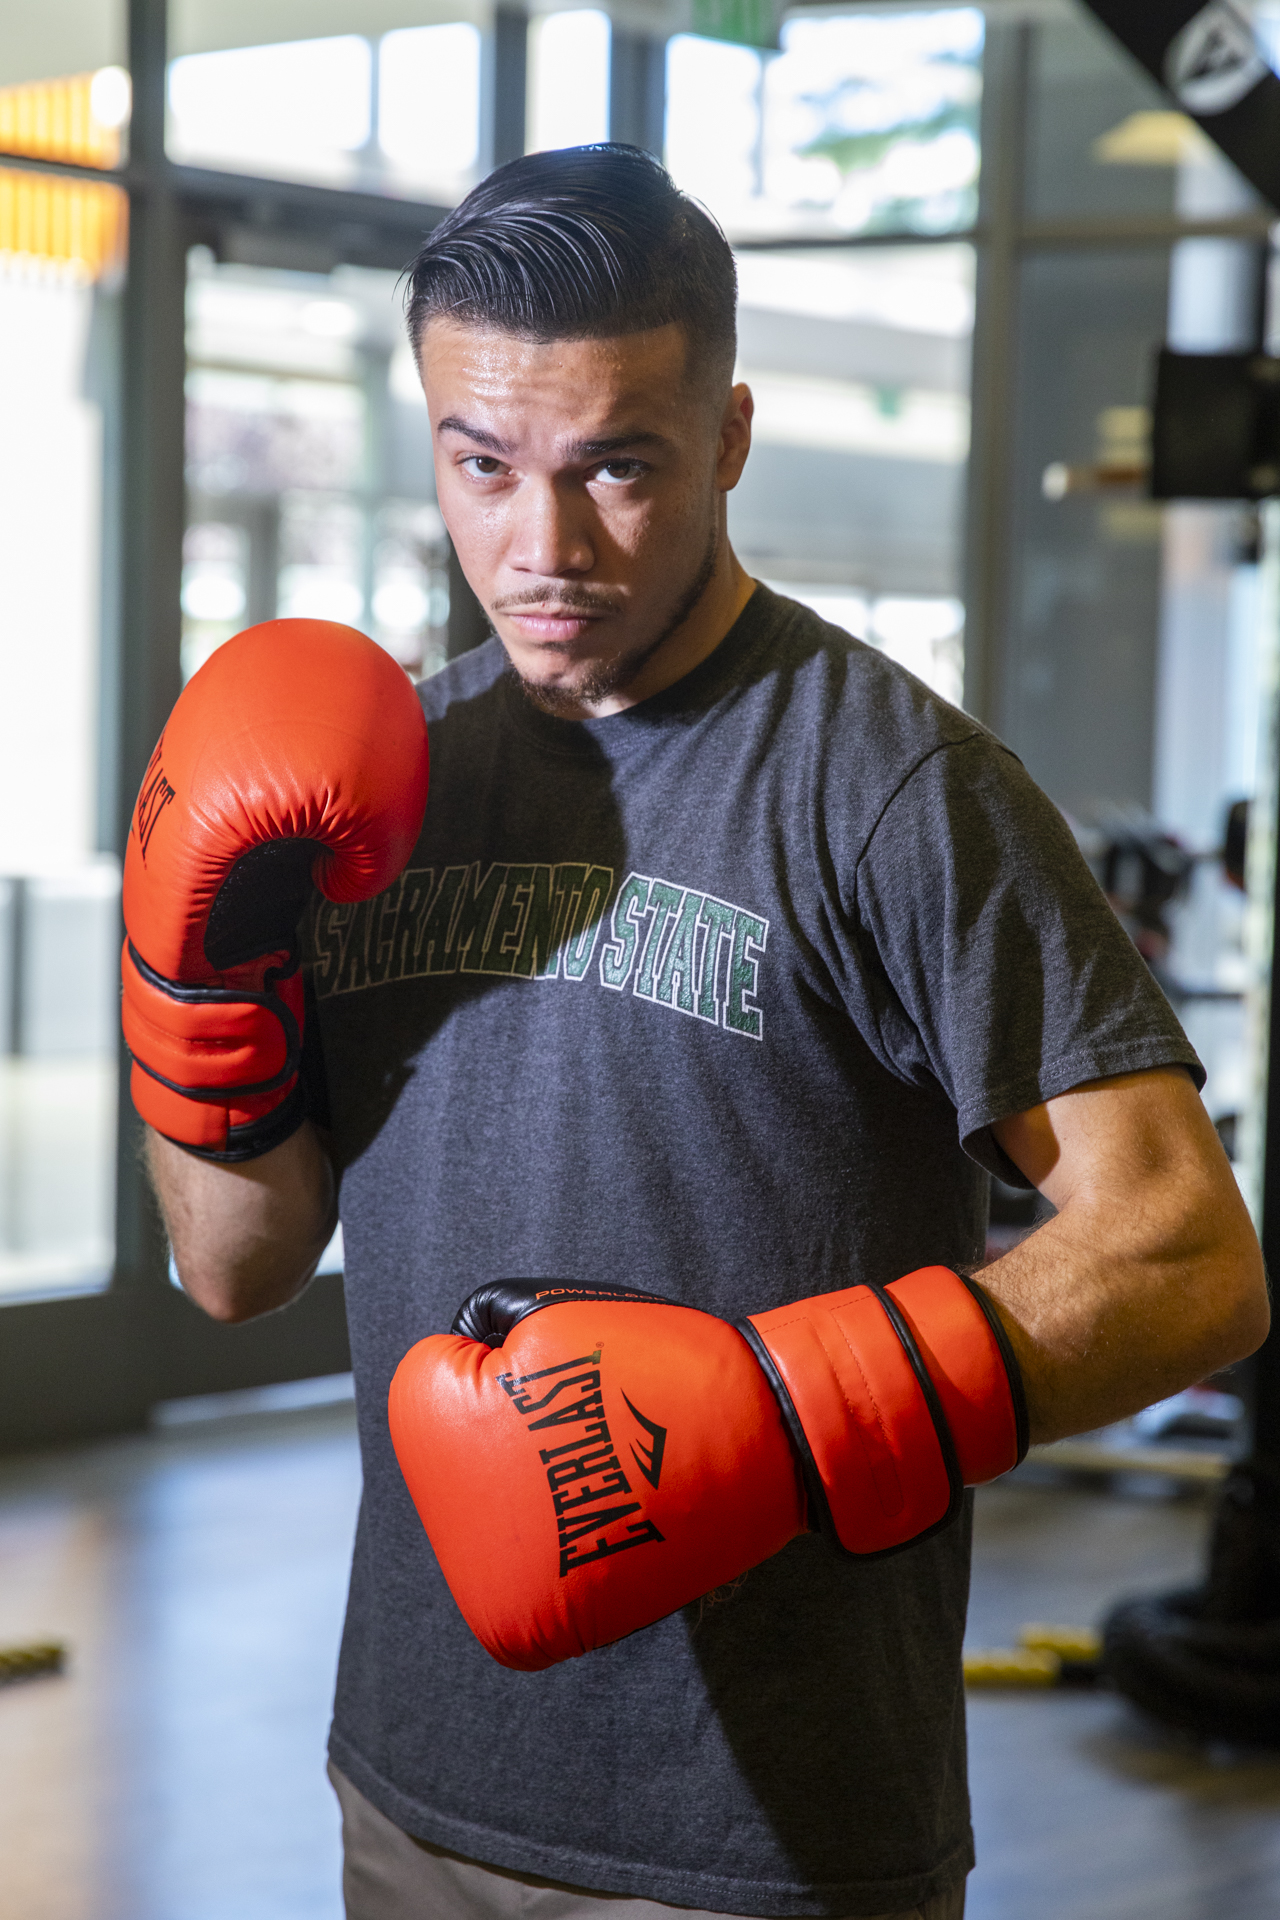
584,243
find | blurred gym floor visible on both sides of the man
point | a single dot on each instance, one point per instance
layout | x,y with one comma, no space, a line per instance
176,1773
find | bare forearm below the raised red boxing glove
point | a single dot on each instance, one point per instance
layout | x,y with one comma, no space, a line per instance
247,1237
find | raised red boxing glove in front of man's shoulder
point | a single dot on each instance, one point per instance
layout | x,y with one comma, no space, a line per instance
295,757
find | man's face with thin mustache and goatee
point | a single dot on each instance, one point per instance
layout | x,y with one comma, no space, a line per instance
582,485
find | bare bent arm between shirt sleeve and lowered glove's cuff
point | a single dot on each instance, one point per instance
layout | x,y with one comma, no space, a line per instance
1149,1278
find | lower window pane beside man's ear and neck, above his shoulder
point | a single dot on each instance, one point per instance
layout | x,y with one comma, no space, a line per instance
853,498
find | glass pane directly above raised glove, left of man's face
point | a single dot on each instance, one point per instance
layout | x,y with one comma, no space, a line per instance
308,462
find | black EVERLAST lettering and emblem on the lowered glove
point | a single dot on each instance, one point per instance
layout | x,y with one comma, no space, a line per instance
584,1472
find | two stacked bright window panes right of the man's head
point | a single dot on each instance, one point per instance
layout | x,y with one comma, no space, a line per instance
861,128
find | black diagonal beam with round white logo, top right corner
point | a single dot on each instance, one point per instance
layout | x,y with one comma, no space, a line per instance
1212,66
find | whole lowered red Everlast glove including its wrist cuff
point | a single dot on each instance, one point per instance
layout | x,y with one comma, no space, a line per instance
590,1460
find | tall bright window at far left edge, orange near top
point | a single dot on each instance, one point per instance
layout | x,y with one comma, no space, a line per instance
62,260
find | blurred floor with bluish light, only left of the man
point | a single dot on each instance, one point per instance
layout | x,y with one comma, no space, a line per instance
178,1769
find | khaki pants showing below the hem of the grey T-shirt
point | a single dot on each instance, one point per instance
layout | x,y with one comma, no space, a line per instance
391,1877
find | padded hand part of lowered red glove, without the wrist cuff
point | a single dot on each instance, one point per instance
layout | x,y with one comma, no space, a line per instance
586,1462
